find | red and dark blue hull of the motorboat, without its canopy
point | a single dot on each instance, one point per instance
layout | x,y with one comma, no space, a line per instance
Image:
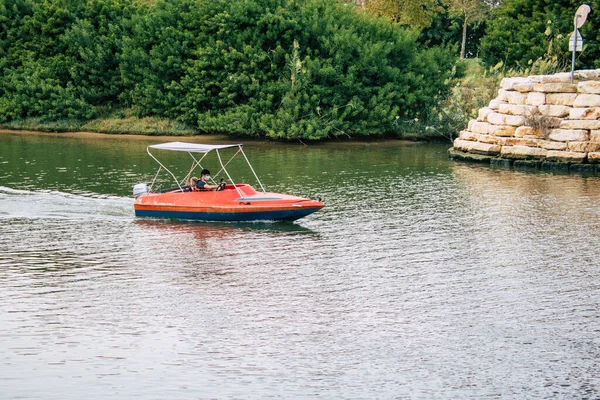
231,204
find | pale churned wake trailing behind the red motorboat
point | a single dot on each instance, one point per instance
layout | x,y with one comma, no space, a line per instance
16,203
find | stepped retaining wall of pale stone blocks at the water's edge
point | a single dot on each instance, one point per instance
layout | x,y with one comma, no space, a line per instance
541,119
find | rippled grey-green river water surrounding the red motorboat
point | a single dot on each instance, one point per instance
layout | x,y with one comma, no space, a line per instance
422,278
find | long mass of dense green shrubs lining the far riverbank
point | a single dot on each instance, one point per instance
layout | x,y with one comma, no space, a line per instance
308,69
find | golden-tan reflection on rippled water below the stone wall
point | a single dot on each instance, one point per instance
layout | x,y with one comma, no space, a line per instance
534,200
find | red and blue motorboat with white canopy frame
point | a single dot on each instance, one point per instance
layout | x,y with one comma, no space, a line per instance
229,202
